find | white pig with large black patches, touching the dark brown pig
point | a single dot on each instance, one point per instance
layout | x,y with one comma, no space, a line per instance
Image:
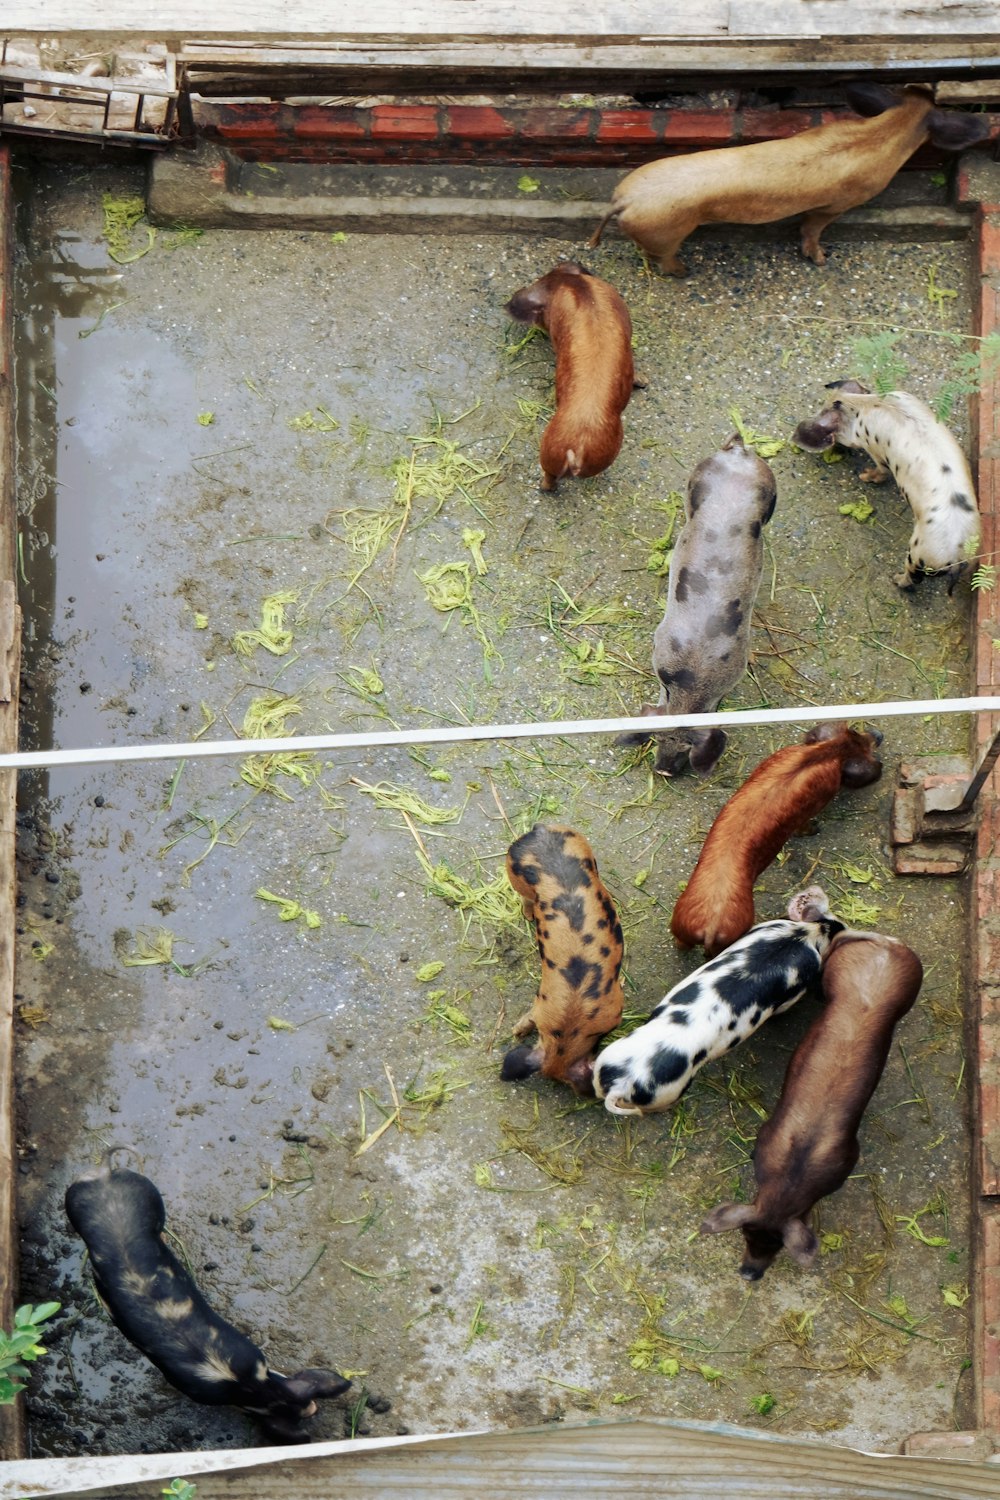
717,1007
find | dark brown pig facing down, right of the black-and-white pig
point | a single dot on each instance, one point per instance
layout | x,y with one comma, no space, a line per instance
809,1148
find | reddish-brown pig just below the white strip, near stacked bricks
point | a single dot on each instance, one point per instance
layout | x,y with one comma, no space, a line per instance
776,802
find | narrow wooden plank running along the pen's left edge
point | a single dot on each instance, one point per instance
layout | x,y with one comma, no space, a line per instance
11,1418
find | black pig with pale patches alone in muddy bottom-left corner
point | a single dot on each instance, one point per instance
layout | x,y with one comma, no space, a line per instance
158,1307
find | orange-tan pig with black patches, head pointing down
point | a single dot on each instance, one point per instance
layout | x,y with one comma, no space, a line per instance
579,941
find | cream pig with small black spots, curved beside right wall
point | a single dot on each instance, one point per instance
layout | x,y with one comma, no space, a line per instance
906,440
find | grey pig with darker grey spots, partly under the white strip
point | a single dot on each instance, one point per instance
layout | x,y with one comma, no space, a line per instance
702,644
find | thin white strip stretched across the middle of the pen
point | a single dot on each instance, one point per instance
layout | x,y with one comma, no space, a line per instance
455,734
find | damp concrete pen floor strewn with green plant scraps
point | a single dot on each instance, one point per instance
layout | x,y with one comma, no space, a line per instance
320,422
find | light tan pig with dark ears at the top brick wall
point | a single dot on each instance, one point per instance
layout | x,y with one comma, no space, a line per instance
819,173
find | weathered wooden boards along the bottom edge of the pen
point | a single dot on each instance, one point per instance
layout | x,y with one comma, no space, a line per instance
638,1460
